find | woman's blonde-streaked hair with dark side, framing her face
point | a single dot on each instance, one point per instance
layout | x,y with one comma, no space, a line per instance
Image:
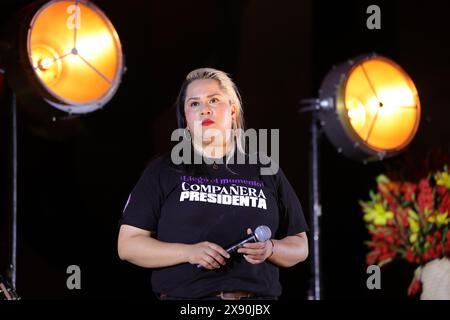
229,88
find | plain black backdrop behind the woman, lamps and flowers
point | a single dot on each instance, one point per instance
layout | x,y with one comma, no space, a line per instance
73,186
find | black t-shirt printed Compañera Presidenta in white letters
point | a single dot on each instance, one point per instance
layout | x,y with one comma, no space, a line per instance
215,203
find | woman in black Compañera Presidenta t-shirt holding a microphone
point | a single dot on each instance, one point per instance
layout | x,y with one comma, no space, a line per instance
179,219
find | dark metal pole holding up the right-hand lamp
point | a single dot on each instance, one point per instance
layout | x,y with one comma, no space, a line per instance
315,209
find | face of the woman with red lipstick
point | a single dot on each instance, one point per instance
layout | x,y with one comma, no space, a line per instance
208,111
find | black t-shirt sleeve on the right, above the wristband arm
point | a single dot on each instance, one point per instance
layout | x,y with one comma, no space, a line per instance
292,218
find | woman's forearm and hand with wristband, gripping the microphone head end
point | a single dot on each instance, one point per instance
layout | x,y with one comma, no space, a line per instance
285,252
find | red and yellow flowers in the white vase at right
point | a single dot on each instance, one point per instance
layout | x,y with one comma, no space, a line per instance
408,220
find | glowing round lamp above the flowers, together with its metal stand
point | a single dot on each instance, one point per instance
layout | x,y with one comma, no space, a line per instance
369,109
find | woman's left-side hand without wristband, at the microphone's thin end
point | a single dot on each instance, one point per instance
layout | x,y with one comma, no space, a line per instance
207,254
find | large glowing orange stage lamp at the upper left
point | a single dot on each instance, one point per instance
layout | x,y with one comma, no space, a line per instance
66,54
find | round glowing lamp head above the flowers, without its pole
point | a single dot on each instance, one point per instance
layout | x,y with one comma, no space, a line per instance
371,108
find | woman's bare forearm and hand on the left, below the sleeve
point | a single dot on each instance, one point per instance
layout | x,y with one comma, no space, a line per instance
138,247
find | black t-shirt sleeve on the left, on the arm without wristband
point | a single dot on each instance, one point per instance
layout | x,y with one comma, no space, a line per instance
143,206
